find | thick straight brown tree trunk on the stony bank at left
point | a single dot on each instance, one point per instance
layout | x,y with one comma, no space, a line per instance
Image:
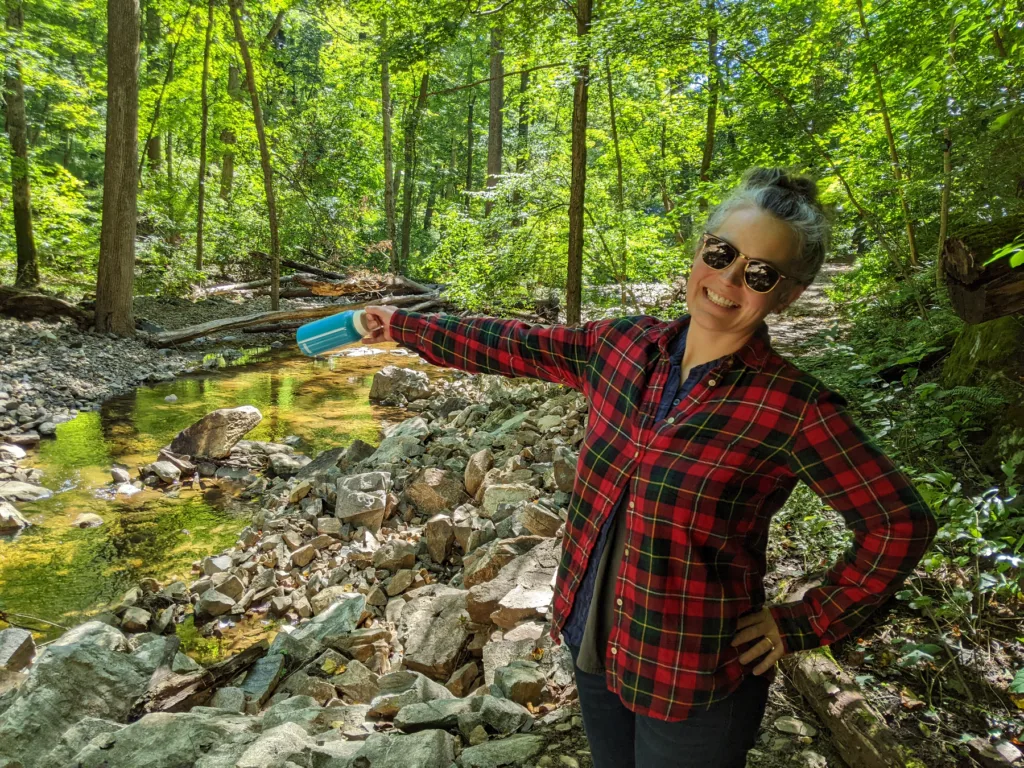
117,238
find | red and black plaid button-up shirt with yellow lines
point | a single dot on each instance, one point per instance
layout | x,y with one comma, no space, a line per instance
703,487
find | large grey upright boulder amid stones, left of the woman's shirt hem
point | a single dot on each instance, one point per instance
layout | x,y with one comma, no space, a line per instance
433,631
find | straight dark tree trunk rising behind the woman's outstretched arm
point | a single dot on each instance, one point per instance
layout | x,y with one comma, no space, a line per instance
578,183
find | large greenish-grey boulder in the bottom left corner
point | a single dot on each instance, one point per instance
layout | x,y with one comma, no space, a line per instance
67,685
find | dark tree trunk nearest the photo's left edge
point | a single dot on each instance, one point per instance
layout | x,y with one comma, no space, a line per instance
28,269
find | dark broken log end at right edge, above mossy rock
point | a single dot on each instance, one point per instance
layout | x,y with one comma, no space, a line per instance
982,293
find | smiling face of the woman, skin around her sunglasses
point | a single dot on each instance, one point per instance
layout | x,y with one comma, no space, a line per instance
759,236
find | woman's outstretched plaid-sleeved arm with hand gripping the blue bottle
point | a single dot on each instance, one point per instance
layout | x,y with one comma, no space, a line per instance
492,346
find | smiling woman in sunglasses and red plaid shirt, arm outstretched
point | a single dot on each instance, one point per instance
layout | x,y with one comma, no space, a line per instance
698,434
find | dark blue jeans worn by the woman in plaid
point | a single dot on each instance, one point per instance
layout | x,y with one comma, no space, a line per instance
717,738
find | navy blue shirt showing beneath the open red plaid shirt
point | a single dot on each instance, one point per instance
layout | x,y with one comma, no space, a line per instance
672,396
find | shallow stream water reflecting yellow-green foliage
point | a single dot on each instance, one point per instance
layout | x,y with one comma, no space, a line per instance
63,574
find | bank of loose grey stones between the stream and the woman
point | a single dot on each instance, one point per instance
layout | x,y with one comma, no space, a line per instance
413,583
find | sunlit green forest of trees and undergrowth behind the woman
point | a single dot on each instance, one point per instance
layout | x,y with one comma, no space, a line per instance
513,155
